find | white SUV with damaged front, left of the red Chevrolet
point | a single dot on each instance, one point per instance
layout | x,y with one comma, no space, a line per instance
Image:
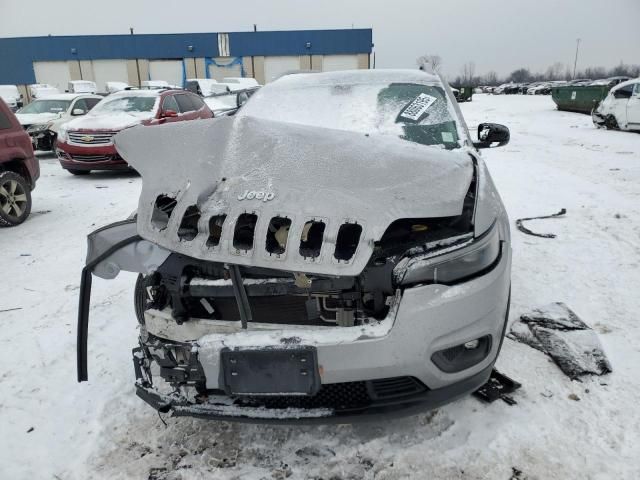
43,117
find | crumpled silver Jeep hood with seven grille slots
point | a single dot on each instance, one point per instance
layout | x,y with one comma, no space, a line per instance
233,165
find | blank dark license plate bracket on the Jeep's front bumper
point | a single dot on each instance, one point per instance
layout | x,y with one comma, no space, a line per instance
270,371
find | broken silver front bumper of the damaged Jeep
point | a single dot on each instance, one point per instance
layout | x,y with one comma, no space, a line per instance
398,351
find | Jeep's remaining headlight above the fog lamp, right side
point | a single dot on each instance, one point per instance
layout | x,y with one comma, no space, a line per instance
469,259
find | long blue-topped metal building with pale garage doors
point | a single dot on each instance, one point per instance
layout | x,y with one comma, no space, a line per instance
262,55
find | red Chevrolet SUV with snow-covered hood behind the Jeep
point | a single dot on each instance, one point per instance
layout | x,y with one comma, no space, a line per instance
86,143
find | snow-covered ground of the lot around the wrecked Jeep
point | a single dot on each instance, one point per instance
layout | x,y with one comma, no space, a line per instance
53,428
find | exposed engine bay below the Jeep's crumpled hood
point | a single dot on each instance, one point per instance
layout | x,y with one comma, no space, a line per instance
192,288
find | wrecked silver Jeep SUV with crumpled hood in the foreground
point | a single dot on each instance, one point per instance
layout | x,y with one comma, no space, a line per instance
336,250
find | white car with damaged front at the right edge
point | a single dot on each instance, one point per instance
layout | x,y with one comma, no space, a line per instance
621,107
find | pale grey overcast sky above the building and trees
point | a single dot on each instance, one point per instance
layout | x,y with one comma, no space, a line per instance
499,35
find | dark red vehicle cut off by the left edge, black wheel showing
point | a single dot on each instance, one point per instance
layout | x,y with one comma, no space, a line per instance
19,169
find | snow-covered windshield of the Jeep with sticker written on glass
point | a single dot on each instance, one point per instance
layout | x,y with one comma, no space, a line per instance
414,112
